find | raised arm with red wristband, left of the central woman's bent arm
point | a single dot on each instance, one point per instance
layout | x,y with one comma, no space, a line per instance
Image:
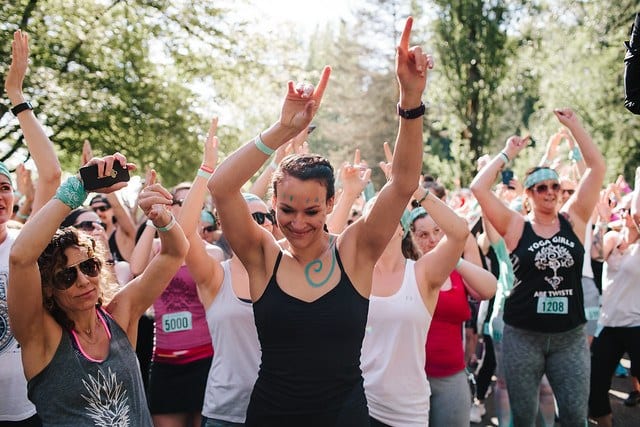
204,268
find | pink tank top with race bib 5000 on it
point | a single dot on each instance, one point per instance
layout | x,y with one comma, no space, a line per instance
181,331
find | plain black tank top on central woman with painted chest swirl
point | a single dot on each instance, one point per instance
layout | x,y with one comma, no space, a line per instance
310,371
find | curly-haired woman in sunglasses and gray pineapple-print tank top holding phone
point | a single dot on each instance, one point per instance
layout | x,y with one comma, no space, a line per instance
77,339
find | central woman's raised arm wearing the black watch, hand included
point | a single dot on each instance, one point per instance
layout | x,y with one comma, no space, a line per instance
376,228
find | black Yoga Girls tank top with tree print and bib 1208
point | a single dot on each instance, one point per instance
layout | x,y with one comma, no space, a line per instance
547,291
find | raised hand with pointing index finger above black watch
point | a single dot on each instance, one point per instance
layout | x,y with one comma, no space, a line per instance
412,65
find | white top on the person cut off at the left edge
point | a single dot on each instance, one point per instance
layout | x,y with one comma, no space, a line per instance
14,405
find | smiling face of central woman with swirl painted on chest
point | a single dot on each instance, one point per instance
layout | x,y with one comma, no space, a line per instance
301,210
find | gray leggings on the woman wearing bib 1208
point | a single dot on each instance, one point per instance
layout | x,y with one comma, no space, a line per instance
564,357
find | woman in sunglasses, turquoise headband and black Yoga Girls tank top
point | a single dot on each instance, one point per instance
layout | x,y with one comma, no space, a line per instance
544,314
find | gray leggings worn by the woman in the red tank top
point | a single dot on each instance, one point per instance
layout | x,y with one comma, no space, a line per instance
450,400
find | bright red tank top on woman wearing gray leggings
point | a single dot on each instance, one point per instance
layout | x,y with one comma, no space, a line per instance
445,353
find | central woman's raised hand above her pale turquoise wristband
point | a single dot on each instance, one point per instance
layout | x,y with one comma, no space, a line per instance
302,103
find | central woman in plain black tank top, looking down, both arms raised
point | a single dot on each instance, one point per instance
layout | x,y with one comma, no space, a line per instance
310,292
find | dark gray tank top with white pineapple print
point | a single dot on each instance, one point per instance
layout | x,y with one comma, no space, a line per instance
73,390
